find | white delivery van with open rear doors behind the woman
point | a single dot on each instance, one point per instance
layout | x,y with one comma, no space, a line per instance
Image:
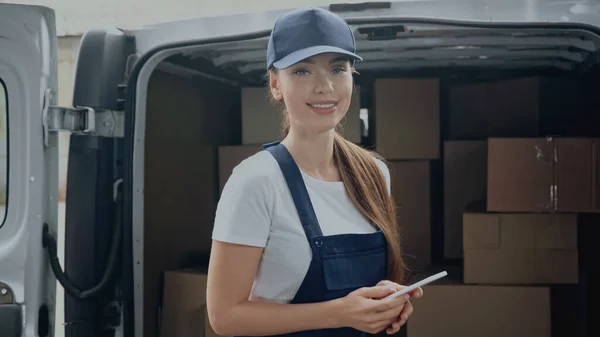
151,105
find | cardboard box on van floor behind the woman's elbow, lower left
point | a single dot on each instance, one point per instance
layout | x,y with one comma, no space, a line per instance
184,304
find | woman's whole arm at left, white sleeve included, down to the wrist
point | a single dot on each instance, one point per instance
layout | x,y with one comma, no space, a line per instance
241,230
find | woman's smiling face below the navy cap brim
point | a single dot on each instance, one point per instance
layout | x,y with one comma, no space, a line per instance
316,92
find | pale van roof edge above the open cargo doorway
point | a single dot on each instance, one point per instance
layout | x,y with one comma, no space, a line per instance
459,11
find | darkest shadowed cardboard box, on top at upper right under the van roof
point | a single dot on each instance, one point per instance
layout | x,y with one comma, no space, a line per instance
518,107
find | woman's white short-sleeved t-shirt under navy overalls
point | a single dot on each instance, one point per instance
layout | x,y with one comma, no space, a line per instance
256,209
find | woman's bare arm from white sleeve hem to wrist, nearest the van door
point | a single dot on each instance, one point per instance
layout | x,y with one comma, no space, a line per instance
231,273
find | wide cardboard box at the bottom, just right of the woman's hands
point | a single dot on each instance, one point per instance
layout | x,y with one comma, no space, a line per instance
475,311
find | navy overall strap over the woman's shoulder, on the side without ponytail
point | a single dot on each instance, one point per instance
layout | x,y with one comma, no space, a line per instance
293,178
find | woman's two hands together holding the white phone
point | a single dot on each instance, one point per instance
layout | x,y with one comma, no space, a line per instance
364,309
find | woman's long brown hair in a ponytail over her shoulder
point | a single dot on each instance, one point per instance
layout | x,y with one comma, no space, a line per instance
366,186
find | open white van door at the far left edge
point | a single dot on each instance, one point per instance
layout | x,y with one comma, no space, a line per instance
28,169
